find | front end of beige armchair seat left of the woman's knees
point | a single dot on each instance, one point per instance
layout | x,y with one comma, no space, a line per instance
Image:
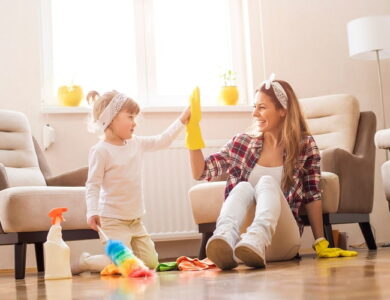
206,201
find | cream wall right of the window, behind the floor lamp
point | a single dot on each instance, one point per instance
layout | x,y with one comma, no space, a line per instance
306,43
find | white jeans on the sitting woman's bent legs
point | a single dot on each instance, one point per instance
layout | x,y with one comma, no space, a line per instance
273,222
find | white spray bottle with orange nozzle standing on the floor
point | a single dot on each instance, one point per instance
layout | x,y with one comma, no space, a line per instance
57,253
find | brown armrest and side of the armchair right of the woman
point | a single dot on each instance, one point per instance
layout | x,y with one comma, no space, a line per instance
356,177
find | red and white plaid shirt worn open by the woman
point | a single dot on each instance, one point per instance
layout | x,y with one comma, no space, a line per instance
240,155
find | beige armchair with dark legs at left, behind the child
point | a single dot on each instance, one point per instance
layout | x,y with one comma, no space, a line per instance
28,192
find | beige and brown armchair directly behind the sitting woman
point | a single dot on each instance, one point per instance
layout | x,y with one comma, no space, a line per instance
345,137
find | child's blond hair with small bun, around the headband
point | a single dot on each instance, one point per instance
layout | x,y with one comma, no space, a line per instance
101,102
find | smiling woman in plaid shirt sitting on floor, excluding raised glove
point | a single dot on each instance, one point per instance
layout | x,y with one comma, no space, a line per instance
279,170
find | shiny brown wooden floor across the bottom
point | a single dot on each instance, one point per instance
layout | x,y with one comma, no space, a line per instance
366,276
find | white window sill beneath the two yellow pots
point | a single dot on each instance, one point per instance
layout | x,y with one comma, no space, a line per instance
59,109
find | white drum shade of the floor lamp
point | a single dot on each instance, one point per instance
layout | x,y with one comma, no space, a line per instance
367,34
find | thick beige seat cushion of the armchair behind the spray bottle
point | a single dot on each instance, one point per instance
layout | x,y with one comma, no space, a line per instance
25,209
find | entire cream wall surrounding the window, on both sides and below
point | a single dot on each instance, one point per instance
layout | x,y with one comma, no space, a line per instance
305,43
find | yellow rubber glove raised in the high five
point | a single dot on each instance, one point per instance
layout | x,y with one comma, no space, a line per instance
194,138
